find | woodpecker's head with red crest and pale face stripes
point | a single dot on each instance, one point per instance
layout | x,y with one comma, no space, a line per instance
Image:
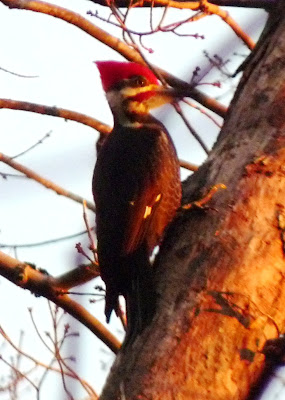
132,90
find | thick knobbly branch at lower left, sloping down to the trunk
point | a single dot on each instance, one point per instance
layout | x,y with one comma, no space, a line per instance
29,278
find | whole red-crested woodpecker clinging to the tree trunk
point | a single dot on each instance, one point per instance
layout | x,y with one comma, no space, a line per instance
136,188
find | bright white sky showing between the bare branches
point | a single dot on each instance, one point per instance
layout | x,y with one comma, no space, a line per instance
62,57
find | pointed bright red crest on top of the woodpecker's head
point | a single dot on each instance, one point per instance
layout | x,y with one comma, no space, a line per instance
115,71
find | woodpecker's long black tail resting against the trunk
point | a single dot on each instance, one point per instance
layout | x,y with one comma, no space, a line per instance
139,294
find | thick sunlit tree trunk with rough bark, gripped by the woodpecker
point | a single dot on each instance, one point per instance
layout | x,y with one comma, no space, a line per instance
220,273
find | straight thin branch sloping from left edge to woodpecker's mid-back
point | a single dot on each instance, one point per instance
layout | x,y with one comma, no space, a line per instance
45,182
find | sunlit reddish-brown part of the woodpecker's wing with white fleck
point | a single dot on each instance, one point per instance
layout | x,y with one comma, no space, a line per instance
141,212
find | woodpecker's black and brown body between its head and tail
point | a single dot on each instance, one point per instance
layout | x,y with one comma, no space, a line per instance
137,190
